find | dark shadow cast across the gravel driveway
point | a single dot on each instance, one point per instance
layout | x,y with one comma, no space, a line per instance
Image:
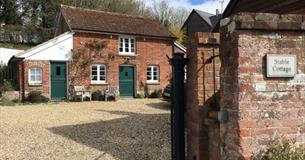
137,136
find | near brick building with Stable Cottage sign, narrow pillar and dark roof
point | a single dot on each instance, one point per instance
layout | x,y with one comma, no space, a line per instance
259,108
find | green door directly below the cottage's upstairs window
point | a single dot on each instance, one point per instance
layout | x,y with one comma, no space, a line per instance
127,81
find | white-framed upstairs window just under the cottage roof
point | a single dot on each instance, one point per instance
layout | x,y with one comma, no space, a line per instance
126,45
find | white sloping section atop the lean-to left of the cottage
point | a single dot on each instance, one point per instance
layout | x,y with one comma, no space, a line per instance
56,49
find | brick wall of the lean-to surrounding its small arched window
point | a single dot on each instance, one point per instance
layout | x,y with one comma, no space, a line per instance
25,87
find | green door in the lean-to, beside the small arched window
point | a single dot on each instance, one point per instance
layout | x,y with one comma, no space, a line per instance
58,80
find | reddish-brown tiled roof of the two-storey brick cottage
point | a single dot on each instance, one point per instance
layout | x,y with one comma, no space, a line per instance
108,22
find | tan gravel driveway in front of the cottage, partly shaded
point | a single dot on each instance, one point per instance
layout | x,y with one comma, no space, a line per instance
127,129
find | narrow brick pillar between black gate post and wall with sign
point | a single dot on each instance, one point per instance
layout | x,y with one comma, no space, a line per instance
202,127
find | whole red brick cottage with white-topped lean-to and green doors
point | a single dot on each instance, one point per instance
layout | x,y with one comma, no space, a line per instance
135,54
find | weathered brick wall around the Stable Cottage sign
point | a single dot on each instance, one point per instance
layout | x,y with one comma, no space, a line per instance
275,109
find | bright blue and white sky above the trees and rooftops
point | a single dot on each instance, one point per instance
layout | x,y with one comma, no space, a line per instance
204,5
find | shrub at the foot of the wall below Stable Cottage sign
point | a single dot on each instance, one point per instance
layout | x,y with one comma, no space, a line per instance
281,150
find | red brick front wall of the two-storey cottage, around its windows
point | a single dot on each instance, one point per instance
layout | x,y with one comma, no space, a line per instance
148,52
